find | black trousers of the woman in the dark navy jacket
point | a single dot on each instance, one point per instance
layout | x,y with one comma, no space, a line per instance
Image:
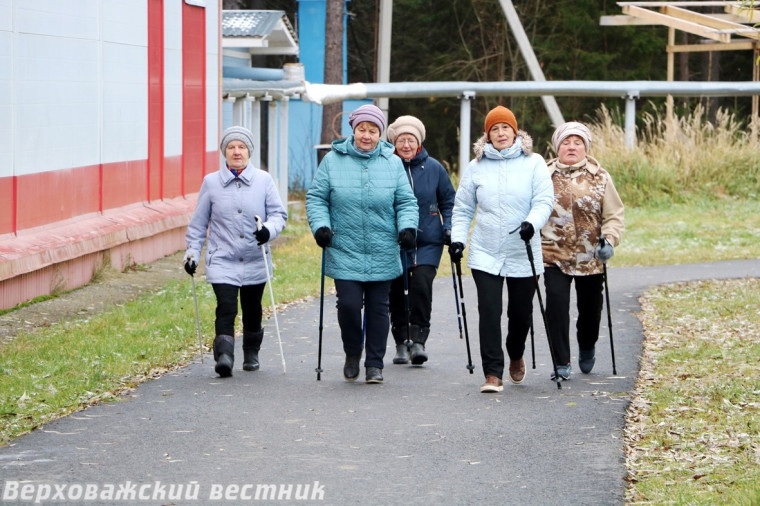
420,297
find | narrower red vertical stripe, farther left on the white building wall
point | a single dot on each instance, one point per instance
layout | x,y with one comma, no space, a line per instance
154,180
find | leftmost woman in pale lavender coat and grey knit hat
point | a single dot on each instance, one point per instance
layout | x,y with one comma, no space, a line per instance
228,203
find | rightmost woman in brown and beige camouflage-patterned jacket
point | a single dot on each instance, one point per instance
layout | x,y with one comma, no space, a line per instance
583,229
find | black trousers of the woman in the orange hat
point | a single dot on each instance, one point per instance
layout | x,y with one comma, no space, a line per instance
520,293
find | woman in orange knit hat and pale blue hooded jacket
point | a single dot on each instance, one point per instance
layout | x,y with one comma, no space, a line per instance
510,188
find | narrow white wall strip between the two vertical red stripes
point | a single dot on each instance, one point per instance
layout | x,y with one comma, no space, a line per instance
172,78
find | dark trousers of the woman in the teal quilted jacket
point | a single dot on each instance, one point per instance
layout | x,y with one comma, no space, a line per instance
373,296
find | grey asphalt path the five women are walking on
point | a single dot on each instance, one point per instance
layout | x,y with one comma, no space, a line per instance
425,436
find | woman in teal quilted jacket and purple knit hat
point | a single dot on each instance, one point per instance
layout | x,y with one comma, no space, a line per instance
360,208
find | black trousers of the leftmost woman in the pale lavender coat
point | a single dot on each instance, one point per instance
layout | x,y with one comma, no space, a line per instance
227,304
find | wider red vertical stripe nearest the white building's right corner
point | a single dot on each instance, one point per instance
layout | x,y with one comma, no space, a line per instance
193,97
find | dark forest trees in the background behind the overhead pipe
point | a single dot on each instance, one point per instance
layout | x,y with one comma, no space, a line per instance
469,40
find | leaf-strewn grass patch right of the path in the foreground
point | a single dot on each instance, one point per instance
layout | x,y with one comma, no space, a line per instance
693,430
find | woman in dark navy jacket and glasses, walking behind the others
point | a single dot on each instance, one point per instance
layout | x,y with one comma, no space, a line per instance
435,200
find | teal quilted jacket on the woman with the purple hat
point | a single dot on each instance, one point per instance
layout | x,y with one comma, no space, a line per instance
366,199
